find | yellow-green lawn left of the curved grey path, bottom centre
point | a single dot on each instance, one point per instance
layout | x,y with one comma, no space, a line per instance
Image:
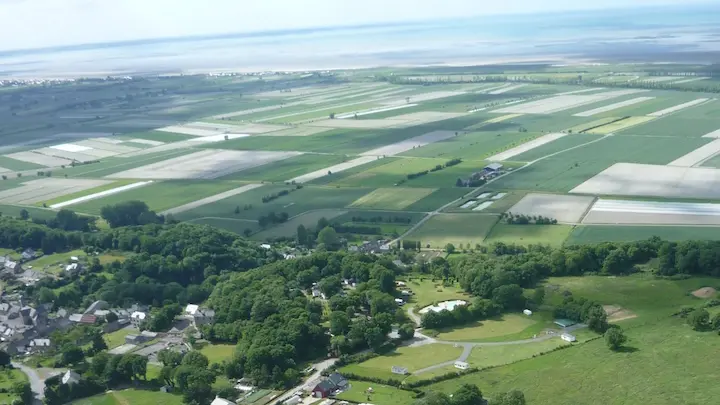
412,358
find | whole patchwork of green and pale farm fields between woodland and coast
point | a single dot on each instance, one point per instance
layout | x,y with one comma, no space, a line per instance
563,151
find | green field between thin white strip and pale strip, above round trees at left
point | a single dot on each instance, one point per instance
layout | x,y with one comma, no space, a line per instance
160,196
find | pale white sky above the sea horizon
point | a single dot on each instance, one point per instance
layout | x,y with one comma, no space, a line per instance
28,24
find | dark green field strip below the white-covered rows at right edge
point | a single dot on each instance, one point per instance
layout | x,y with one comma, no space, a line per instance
593,234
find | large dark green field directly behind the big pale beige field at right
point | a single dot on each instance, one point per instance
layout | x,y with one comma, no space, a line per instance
563,172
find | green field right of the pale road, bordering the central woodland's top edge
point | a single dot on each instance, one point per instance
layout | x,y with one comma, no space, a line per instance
458,229
